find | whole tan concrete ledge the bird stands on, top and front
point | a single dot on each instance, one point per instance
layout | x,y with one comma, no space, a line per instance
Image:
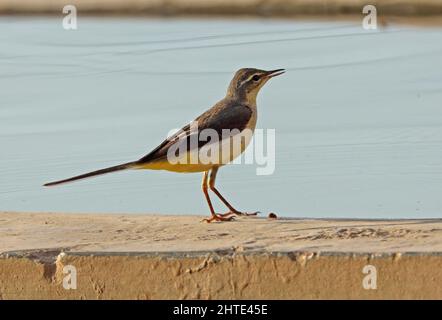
124,256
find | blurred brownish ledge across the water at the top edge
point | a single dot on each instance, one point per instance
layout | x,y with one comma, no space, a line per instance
225,7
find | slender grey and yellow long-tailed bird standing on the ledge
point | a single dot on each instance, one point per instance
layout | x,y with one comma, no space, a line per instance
230,123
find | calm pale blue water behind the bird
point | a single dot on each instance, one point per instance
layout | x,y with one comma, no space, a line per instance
358,115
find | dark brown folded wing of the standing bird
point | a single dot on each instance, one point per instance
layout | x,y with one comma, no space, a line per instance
227,116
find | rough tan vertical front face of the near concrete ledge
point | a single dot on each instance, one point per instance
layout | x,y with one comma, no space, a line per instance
225,275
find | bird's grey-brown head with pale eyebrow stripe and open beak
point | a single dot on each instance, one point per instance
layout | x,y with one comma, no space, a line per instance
247,82
